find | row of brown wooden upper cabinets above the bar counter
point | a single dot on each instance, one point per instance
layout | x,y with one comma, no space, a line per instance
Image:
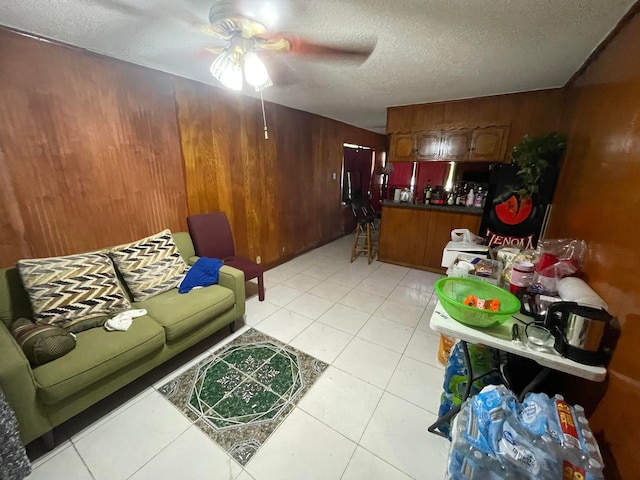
486,144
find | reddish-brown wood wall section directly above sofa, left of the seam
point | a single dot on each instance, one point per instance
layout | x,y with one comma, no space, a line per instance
89,151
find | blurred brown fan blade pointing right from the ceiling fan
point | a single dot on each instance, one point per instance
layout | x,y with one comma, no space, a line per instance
301,46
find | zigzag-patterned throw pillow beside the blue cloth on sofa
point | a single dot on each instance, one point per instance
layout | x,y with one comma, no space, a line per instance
150,266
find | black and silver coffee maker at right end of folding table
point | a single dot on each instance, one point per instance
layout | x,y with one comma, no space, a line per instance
580,332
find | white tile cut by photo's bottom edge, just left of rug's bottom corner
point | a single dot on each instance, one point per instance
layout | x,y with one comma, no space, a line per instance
194,450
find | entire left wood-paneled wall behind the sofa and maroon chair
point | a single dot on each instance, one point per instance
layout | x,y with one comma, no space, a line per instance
96,152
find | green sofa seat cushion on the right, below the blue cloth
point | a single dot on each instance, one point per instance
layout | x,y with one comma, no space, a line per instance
180,314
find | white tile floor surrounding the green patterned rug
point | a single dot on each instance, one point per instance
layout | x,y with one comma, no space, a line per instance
366,418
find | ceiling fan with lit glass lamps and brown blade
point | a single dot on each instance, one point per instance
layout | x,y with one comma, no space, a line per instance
246,37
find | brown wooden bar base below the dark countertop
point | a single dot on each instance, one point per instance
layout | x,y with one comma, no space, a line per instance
416,237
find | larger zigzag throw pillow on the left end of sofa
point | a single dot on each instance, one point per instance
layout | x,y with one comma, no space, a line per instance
70,290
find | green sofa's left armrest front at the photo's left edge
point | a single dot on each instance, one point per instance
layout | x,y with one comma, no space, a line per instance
19,387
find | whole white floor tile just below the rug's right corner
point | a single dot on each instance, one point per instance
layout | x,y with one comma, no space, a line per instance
342,401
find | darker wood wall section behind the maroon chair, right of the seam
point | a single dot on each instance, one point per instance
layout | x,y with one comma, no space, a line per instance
279,194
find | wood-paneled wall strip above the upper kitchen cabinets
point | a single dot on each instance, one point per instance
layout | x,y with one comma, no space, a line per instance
530,113
